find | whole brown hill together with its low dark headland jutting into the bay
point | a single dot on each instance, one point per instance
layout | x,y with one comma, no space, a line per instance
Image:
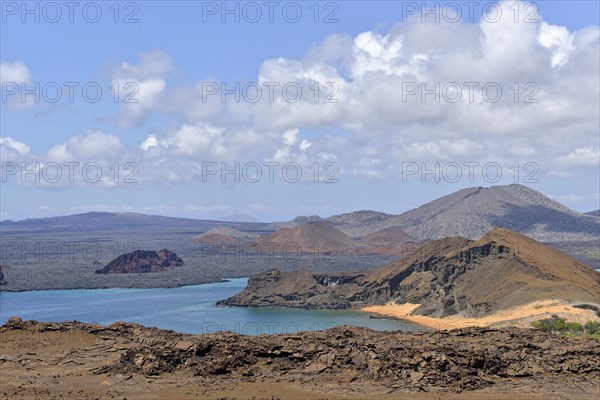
449,276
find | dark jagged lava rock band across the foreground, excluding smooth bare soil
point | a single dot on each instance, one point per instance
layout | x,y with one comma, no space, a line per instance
466,359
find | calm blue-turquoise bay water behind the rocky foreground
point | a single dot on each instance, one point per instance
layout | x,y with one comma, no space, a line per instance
188,309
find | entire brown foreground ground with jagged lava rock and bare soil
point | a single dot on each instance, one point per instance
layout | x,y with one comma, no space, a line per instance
83,361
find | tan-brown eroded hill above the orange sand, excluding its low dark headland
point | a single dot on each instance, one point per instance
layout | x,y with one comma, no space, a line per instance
503,269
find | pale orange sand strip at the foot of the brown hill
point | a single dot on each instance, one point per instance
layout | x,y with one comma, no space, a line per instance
516,316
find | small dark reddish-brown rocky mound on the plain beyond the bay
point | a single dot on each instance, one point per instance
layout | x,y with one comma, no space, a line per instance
141,261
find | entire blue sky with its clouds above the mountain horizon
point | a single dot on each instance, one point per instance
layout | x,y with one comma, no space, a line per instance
374,141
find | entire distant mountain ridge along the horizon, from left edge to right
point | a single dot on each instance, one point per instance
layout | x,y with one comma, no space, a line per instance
468,213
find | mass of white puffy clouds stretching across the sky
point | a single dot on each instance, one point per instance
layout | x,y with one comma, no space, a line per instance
501,91
